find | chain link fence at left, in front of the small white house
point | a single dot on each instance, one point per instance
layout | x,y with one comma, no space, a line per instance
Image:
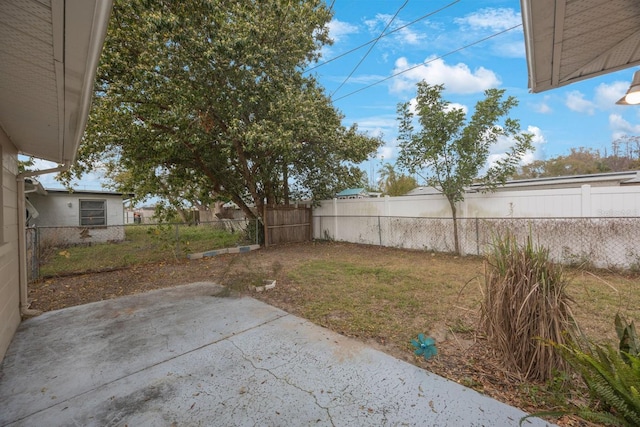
60,250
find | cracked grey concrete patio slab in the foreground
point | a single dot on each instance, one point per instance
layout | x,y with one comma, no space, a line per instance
192,356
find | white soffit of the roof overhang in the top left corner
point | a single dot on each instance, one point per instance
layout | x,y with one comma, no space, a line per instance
49,51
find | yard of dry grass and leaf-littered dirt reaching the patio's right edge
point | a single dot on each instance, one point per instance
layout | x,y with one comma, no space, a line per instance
387,296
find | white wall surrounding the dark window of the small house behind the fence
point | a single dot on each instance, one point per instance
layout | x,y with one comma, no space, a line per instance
60,223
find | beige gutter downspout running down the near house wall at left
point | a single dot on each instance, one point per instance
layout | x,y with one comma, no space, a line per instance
22,244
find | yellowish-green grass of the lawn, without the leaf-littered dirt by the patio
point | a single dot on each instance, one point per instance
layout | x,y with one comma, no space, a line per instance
372,291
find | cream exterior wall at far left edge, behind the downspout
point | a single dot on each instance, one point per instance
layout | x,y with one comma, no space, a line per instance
9,261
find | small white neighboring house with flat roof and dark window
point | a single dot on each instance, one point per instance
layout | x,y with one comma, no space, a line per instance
78,217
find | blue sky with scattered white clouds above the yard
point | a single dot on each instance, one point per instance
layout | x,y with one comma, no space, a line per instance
469,46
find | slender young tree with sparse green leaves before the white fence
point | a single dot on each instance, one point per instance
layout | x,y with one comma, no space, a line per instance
455,151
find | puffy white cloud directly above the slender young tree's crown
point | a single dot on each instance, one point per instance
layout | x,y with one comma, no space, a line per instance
457,78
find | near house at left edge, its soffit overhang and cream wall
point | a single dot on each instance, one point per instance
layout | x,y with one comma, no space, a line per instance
49,51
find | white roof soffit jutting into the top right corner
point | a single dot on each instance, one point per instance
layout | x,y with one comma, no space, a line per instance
572,40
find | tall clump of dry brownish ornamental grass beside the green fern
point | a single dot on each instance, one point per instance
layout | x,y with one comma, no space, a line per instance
525,307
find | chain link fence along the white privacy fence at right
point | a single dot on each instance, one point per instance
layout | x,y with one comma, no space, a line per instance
606,242
